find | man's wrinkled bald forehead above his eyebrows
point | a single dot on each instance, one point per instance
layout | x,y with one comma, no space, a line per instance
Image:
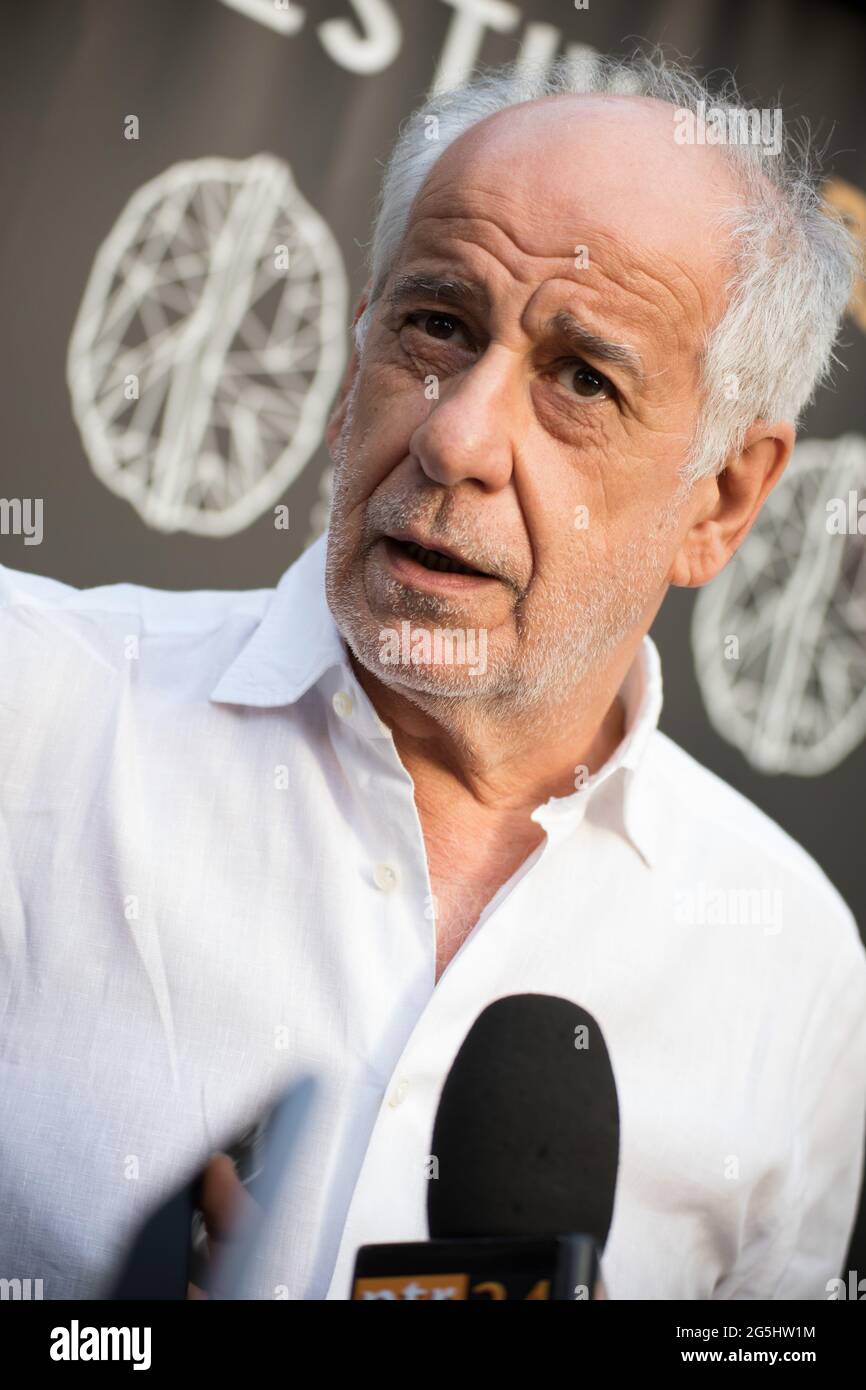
525,190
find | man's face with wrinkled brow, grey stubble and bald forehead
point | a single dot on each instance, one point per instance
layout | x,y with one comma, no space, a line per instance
525,402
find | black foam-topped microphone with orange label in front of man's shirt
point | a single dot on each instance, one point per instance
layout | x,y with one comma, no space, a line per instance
526,1142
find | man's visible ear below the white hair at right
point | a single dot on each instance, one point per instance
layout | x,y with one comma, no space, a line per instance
726,505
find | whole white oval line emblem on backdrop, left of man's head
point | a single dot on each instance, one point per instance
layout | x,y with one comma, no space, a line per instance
219,304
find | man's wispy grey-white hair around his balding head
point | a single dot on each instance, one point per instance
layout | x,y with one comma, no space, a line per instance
794,263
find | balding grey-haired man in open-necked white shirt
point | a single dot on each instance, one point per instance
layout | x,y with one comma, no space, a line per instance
248,836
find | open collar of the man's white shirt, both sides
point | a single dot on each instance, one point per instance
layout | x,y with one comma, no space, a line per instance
297,643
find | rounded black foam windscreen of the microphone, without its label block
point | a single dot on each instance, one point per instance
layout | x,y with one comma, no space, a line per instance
528,1132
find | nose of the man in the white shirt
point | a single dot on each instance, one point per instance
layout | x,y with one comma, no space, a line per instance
471,432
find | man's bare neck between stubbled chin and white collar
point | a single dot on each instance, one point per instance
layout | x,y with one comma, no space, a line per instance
504,760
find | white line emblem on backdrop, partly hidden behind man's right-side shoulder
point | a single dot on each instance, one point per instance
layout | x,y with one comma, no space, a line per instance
794,598
